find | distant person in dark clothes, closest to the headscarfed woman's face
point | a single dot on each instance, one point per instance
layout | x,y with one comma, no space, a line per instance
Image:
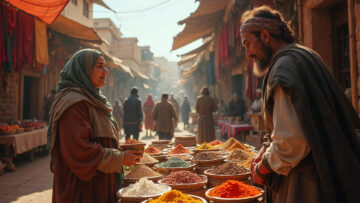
132,115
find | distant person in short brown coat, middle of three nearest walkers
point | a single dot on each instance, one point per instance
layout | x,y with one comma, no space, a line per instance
165,118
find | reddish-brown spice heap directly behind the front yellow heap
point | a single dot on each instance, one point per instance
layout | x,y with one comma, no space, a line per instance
181,177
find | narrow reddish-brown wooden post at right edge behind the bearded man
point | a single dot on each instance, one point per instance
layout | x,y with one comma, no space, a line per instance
352,44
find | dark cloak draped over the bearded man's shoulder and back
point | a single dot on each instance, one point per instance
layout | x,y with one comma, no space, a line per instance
327,118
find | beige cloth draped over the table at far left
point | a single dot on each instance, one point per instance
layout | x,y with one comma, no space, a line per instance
26,141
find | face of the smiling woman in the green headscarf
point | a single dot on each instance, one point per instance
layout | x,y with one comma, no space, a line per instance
98,75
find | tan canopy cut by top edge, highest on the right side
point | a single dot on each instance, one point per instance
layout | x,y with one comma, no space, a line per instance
201,23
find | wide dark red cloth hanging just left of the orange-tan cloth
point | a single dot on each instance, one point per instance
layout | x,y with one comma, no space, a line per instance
24,41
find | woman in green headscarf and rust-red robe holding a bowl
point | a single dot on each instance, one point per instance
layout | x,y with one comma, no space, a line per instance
85,158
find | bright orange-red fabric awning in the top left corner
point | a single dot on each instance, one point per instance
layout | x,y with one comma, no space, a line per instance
45,10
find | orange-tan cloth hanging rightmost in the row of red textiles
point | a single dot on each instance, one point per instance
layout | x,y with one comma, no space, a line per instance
41,46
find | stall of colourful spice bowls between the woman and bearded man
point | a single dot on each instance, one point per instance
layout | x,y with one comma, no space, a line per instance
202,172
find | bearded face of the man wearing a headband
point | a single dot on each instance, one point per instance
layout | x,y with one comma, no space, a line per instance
258,51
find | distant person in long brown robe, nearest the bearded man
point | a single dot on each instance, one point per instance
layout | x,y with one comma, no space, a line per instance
205,106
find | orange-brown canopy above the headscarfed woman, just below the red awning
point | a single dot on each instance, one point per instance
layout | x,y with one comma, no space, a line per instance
75,30
